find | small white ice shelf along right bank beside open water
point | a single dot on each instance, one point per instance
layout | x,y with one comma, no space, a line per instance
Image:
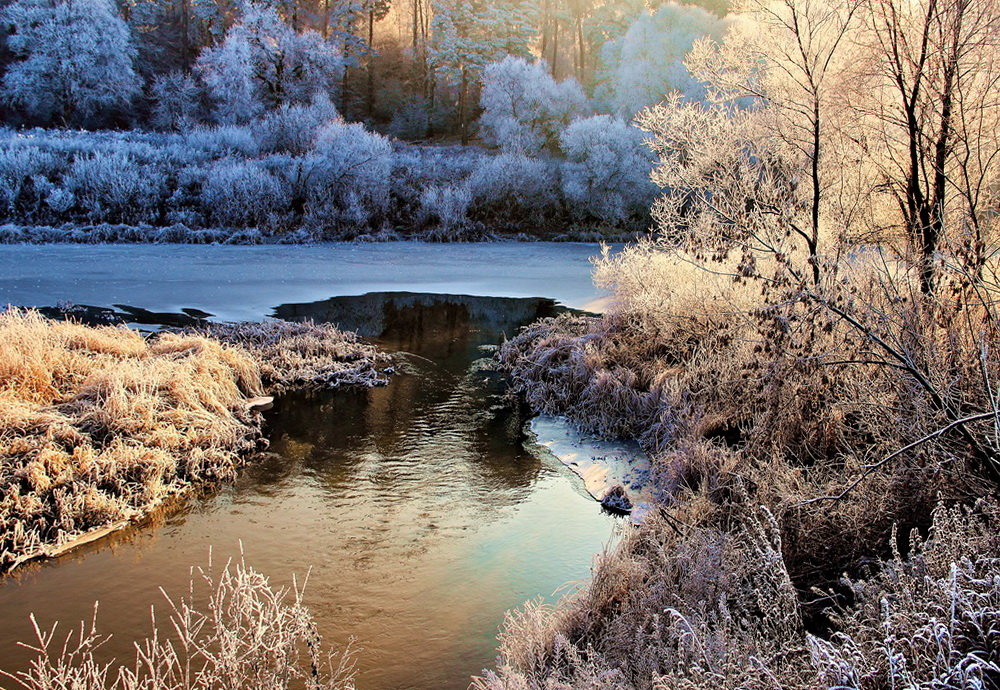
601,464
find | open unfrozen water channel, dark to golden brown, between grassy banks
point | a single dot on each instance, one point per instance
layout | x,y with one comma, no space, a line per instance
421,509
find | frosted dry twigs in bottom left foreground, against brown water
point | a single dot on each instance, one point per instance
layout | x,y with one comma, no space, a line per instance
233,629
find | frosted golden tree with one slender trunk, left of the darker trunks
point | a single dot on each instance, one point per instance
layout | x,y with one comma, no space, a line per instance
773,92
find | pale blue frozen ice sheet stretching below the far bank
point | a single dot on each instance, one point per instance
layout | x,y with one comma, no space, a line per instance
246,282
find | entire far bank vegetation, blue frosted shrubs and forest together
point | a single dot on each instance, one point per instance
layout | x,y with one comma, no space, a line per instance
192,121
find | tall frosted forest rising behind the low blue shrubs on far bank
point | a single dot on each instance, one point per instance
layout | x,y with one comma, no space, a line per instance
412,68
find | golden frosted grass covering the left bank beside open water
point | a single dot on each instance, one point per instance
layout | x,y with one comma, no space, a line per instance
99,425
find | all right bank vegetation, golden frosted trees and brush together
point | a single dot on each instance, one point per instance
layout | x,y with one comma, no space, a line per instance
808,352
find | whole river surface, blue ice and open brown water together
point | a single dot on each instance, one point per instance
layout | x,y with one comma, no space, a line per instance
420,509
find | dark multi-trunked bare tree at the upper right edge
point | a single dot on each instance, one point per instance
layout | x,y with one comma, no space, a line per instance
931,109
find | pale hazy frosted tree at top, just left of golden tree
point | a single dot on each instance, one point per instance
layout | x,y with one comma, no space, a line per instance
639,68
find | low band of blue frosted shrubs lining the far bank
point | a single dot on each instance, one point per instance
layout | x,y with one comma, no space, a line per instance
303,175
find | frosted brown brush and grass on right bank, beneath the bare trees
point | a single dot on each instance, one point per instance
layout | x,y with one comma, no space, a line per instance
748,397
